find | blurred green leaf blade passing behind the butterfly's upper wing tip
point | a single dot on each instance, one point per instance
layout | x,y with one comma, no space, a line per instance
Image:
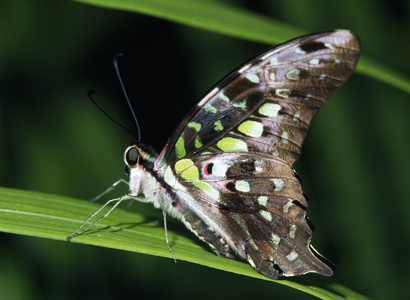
222,18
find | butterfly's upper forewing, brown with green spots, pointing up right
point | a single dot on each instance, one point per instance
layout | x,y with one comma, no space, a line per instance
267,104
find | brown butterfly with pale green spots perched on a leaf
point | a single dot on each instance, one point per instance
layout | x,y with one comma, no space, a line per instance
227,170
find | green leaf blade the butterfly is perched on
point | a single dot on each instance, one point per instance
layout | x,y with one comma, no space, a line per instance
56,217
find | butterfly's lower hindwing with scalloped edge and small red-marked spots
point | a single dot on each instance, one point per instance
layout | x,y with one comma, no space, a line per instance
252,204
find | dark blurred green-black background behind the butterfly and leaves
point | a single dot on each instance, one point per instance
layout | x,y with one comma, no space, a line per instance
354,165
